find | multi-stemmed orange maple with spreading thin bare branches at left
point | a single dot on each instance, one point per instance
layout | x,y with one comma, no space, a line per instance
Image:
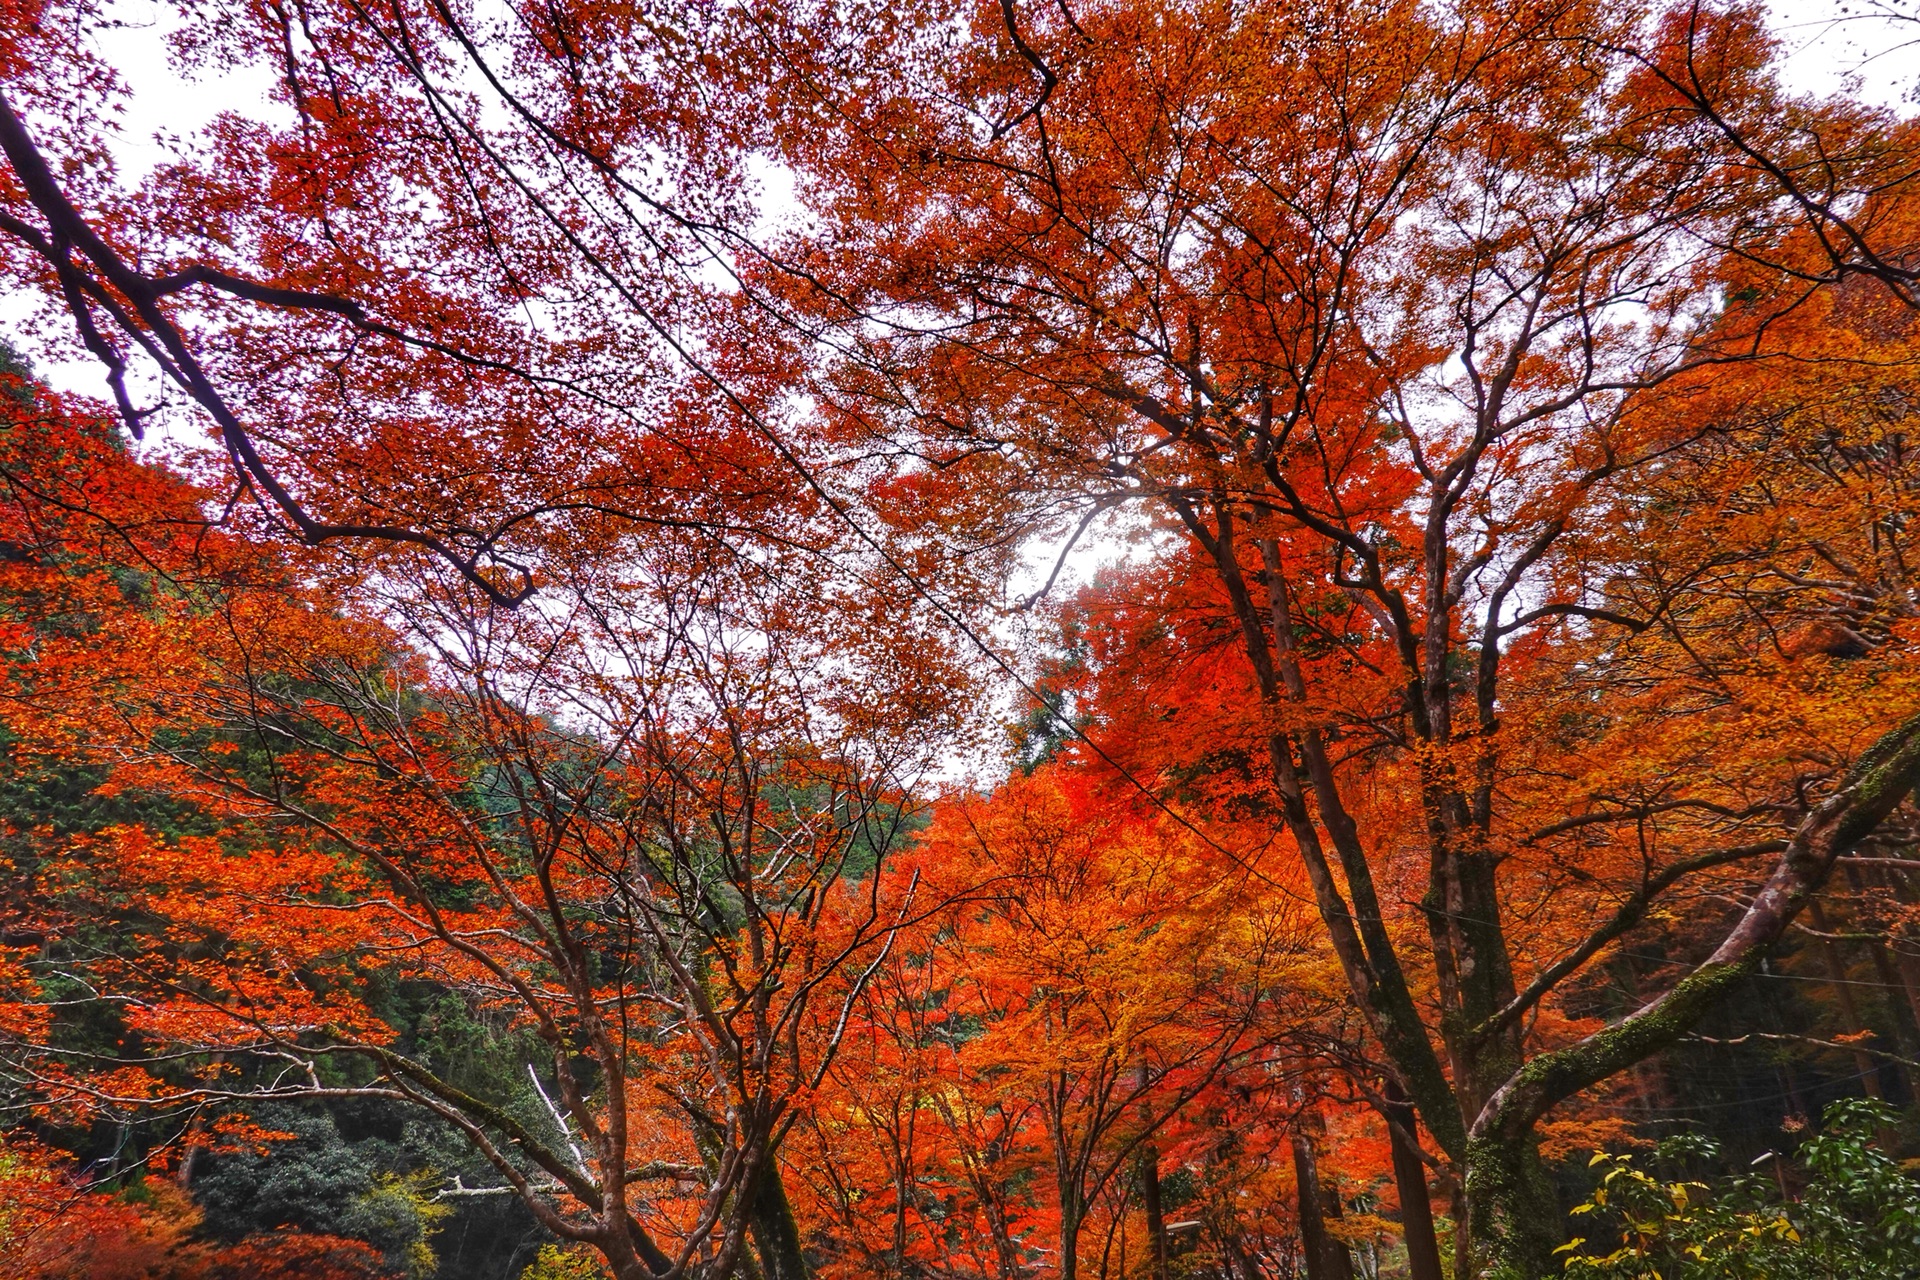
623,828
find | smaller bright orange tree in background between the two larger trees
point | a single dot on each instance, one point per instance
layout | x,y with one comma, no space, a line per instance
1099,980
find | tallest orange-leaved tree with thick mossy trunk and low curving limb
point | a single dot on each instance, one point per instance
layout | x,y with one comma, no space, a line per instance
1383,312
